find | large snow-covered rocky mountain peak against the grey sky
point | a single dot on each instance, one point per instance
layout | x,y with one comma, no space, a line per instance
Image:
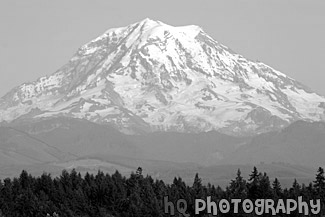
151,76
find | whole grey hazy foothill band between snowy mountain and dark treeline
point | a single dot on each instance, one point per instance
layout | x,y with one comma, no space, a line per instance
65,143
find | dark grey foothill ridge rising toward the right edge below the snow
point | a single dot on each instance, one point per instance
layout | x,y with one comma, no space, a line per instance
299,143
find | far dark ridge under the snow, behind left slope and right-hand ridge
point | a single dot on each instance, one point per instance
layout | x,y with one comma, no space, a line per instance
82,138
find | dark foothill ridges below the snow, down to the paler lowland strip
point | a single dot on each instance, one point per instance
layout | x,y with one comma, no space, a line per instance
62,140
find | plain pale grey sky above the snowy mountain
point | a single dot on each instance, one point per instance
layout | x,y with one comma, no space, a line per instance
39,36
